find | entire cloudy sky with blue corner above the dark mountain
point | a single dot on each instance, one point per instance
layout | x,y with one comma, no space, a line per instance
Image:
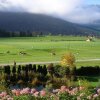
77,11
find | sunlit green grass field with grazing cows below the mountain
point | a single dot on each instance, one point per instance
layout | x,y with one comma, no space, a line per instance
39,49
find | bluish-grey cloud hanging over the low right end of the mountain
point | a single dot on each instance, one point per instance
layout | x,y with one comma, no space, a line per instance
86,14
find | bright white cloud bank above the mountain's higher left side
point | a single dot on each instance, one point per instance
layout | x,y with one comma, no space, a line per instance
41,6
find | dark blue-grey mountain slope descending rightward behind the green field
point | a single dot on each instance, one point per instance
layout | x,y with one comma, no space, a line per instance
27,22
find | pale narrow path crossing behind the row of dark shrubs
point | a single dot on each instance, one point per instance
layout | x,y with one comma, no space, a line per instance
24,63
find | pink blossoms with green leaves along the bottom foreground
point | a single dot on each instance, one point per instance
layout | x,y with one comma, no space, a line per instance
63,93
